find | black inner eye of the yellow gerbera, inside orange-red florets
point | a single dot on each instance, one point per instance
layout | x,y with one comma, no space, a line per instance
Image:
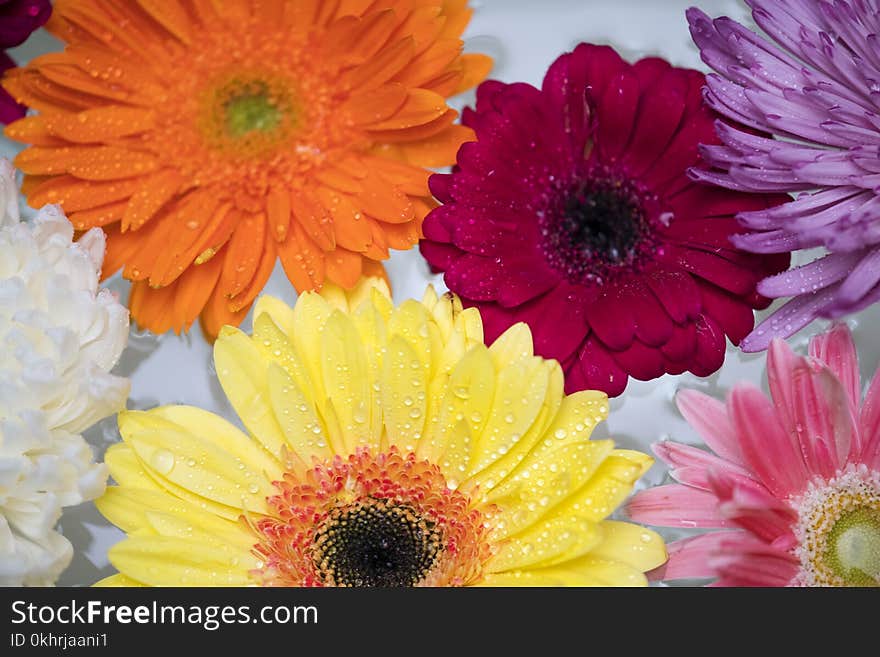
376,542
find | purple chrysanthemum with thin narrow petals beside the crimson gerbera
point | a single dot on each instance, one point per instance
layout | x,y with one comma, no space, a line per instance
817,89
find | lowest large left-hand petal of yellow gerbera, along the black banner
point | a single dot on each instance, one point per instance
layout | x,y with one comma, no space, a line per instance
164,561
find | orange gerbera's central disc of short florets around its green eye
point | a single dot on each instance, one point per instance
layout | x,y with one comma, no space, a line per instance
245,109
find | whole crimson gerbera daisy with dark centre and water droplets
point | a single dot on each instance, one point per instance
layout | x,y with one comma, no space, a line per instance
573,212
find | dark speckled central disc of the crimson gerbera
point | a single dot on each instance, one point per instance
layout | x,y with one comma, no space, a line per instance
602,224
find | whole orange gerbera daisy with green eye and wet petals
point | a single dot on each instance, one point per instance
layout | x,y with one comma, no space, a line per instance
209,137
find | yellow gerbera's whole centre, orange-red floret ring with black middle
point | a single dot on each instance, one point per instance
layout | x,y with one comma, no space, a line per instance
387,519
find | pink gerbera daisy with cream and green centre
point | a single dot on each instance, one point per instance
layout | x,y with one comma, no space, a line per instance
794,483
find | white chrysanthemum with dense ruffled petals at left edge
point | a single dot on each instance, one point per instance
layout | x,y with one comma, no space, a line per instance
59,338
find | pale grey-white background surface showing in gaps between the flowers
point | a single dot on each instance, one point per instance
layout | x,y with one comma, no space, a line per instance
524,37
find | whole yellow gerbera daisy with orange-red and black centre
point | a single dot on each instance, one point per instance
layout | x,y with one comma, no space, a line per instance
388,447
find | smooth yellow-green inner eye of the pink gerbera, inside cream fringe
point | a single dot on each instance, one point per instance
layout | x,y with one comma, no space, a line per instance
854,547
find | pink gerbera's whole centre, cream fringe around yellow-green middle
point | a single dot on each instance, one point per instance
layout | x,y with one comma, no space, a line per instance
838,530
